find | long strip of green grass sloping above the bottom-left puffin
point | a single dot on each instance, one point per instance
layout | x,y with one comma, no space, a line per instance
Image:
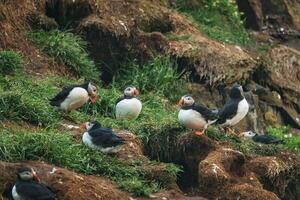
60,149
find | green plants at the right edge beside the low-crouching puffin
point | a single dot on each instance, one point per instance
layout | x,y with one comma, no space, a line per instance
290,141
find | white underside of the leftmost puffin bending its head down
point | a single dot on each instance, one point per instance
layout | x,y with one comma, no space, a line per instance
77,98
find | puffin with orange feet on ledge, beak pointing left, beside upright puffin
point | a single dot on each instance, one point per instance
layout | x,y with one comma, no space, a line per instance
195,116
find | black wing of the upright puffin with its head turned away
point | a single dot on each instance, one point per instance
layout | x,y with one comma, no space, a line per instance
228,111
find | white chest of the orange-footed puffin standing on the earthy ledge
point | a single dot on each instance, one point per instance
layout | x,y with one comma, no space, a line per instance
192,119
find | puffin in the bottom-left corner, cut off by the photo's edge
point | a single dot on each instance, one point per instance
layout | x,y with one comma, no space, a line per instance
28,187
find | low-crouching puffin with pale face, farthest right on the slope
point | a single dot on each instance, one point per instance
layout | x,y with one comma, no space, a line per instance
265,139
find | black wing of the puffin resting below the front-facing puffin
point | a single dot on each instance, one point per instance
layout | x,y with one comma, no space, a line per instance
105,137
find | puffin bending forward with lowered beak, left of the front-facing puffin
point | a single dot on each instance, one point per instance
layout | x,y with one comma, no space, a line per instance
74,97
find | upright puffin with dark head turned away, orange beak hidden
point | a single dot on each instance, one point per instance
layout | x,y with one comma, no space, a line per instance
235,109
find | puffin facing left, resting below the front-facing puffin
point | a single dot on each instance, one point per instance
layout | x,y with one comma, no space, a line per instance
97,137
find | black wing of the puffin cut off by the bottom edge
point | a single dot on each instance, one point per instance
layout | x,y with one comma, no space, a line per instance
34,191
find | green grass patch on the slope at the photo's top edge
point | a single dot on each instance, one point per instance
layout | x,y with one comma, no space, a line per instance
218,19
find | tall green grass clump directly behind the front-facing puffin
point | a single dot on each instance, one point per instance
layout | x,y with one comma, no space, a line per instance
158,76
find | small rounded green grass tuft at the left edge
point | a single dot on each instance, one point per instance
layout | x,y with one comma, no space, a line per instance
10,62
